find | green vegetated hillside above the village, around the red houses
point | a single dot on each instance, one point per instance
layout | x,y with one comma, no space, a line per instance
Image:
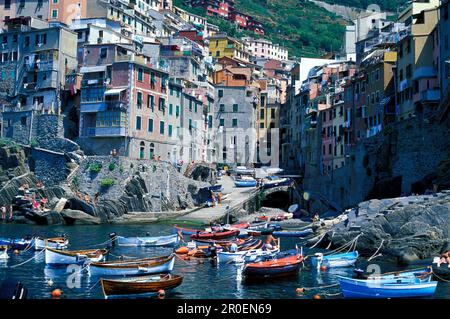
305,29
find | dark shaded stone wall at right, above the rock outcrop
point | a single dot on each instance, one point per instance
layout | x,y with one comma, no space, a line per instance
386,165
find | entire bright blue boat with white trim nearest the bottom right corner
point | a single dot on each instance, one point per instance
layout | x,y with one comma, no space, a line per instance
409,284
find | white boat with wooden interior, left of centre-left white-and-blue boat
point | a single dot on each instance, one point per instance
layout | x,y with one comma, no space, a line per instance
55,257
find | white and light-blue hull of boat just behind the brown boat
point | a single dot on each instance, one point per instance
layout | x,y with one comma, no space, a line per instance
144,268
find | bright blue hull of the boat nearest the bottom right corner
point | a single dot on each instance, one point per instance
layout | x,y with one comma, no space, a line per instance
378,289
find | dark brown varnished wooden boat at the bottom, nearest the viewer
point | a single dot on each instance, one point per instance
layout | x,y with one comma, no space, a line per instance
140,285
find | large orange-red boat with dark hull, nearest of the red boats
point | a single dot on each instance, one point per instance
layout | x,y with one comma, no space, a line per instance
284,263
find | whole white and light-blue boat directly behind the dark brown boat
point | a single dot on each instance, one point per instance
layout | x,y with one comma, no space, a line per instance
134,267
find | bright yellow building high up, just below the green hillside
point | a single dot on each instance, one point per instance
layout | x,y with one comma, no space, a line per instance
223,46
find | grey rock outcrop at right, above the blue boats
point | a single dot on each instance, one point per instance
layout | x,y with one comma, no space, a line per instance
407,228
